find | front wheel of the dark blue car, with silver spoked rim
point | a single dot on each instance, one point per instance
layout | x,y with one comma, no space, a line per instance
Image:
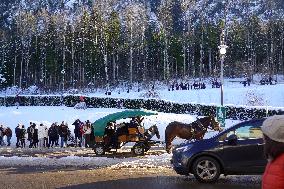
206,169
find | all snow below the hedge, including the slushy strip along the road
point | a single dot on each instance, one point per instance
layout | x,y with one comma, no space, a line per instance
10,116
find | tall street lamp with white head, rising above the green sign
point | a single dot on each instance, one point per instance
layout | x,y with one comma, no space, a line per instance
222,50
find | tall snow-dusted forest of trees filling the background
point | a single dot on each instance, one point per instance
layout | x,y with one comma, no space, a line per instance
97,44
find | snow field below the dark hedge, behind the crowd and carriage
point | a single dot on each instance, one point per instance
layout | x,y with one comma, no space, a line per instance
10,117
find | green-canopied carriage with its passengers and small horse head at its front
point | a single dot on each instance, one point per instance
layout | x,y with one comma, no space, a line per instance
109,135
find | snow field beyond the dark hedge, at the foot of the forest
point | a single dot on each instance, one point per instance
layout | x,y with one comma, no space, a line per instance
271,96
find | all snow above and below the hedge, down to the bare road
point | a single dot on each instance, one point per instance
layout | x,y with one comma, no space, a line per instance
271,96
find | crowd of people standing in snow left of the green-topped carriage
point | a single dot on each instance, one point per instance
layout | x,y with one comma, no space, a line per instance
43,136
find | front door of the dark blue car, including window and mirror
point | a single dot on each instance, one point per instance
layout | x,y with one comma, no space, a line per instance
245,155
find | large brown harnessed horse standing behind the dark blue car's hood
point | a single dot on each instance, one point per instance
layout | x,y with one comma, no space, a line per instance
195,130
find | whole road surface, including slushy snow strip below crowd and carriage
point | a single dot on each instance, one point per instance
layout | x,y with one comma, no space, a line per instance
80,168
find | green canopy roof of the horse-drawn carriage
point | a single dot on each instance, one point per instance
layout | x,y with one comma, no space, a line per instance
100,124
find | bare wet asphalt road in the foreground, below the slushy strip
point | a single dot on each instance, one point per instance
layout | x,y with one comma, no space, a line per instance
109,178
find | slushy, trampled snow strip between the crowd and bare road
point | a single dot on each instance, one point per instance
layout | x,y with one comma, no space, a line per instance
80,158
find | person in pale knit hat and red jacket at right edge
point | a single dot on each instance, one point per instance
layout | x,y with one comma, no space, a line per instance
273,133
